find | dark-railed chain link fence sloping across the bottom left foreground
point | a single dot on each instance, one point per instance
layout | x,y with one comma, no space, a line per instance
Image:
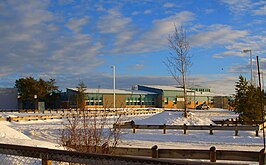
25,155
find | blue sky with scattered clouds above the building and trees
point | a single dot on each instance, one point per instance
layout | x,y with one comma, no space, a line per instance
72,41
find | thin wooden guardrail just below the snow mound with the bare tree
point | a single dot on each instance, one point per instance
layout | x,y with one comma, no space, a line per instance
185,128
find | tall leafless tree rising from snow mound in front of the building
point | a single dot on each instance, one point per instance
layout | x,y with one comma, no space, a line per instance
178,62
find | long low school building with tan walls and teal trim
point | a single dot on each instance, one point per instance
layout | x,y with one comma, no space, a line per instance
145,96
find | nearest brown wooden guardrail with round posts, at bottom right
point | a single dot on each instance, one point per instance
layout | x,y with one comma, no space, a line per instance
212,154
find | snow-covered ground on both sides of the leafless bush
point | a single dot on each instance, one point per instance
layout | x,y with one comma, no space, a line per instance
46,133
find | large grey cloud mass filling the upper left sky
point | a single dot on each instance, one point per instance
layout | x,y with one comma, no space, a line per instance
33,43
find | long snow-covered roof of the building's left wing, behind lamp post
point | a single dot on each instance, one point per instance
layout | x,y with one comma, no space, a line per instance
111,91
